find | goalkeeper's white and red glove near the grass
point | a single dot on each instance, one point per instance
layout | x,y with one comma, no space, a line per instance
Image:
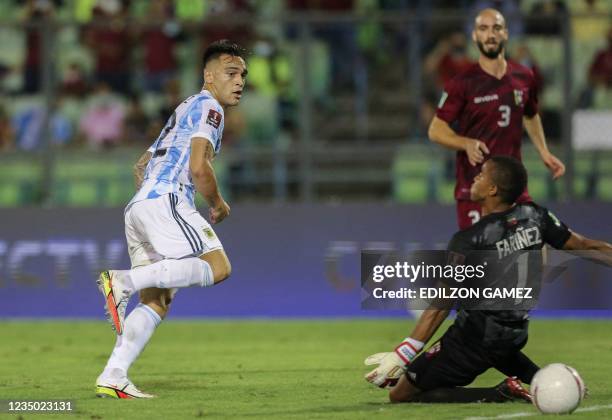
392,365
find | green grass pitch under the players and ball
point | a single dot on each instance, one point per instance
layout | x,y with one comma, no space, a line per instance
265,369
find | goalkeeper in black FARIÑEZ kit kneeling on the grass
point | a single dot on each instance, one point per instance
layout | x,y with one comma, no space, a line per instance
480,339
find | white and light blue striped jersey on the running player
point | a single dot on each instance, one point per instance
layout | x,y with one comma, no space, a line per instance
168,171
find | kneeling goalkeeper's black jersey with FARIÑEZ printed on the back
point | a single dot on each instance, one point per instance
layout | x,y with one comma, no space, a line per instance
505,237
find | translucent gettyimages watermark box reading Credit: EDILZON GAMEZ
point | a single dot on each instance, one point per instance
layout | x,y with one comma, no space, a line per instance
483,280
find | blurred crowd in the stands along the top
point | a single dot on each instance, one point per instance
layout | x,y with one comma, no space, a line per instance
121,66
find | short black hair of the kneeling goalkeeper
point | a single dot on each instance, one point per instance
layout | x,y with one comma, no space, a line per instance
510,177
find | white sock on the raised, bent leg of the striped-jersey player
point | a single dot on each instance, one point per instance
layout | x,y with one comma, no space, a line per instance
166,274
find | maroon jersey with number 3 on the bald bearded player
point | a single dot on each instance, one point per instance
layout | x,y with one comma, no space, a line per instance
489,110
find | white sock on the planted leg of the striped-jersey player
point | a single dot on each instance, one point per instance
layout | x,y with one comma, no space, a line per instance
138,329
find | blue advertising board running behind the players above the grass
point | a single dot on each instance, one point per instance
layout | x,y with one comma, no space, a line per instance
288,261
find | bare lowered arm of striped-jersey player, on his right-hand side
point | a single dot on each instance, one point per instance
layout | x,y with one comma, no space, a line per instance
204,179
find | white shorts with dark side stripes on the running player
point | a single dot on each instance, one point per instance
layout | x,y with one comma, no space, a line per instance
166,227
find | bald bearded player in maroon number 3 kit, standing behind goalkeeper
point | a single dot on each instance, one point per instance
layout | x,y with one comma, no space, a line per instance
490,102
